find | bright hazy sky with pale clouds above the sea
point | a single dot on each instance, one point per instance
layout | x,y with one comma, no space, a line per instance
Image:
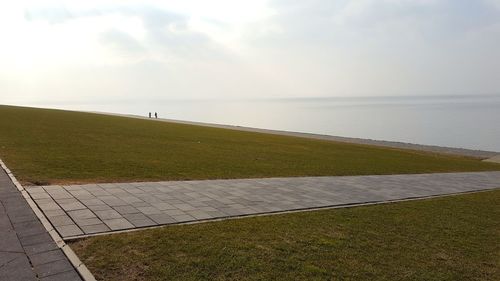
81,51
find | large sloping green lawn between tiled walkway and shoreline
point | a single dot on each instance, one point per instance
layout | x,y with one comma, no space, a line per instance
52,146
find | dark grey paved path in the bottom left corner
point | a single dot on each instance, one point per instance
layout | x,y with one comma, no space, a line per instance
27,252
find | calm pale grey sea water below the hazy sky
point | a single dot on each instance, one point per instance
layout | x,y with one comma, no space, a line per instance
464,121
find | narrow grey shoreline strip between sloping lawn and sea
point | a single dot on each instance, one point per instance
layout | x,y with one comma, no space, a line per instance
482,154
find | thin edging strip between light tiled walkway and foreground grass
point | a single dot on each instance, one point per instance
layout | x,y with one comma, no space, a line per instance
329,207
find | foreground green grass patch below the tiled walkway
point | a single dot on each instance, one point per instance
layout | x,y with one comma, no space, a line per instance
448,238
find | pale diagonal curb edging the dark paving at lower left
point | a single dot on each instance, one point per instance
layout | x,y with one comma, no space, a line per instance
70,254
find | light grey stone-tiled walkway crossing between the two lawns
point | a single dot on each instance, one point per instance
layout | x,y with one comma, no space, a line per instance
79,210
